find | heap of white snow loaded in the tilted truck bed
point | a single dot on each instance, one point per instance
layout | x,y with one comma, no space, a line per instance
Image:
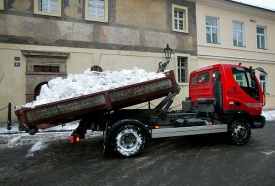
89,82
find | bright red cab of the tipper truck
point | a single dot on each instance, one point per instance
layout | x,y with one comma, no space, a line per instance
235,89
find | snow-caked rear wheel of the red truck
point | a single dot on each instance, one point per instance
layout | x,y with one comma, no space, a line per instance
128,141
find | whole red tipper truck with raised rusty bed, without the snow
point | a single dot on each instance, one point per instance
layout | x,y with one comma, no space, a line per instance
223,98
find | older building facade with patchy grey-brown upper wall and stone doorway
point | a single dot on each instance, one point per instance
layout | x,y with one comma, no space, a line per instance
44,39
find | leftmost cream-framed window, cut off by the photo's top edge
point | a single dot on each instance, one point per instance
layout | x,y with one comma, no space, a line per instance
48,7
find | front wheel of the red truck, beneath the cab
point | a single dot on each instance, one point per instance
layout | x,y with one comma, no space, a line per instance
239,132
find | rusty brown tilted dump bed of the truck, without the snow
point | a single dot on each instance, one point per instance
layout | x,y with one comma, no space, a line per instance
72,109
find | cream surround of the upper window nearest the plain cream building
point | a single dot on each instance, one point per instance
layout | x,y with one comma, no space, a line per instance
185,18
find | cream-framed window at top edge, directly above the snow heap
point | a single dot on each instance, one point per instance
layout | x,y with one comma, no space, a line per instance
96,10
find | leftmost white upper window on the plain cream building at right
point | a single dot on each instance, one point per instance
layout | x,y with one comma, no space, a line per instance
212,30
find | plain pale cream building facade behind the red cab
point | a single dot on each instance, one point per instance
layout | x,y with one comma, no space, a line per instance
232,32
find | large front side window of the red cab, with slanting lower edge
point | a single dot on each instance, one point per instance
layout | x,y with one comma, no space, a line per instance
243,78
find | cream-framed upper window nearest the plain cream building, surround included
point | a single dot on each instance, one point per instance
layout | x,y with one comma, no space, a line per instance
180,18
